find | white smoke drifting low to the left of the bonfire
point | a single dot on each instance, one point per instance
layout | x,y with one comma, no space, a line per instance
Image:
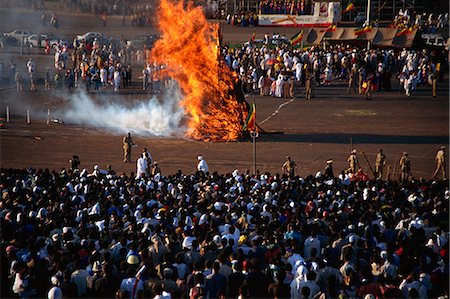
151,117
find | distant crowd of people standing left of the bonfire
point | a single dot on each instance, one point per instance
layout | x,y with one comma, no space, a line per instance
92,64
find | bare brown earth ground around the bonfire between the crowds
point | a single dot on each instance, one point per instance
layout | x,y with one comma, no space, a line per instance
313,130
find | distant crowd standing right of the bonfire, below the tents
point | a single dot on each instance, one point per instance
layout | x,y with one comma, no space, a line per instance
279,70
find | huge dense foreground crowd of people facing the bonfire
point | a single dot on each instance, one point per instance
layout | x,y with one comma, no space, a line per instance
76,233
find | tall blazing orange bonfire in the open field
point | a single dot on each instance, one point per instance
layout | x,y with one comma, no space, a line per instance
189,49
